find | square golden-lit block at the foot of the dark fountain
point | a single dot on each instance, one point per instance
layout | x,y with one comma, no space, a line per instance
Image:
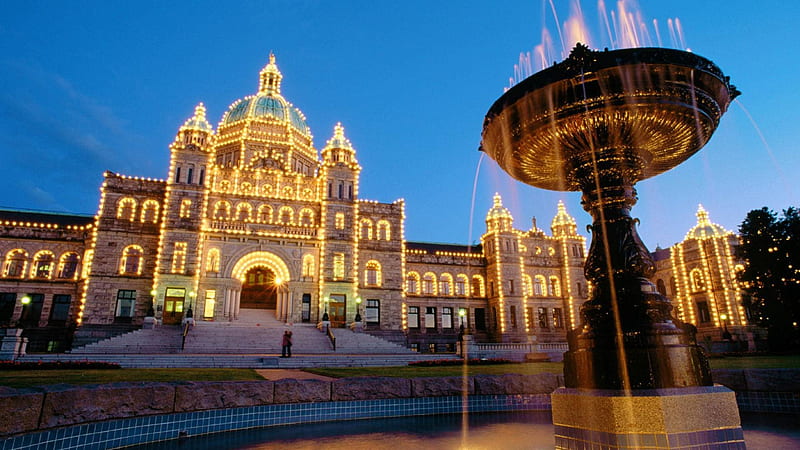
676,418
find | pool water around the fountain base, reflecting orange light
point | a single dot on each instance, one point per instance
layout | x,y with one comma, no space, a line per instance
512,430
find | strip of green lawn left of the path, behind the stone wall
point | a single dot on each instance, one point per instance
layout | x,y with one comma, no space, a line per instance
30,378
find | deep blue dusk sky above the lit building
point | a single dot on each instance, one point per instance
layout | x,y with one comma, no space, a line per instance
90,86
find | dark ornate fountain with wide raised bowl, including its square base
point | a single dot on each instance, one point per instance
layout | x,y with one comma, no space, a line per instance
598,122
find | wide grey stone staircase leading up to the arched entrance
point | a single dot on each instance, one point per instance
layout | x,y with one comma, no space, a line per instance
252,341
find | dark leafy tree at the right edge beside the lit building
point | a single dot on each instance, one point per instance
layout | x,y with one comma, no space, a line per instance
770,248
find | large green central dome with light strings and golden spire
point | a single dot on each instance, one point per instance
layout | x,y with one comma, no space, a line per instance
268,103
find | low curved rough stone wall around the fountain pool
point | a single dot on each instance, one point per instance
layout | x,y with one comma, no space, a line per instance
24,411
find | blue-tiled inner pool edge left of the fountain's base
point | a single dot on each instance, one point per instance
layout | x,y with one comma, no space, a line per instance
141,430
